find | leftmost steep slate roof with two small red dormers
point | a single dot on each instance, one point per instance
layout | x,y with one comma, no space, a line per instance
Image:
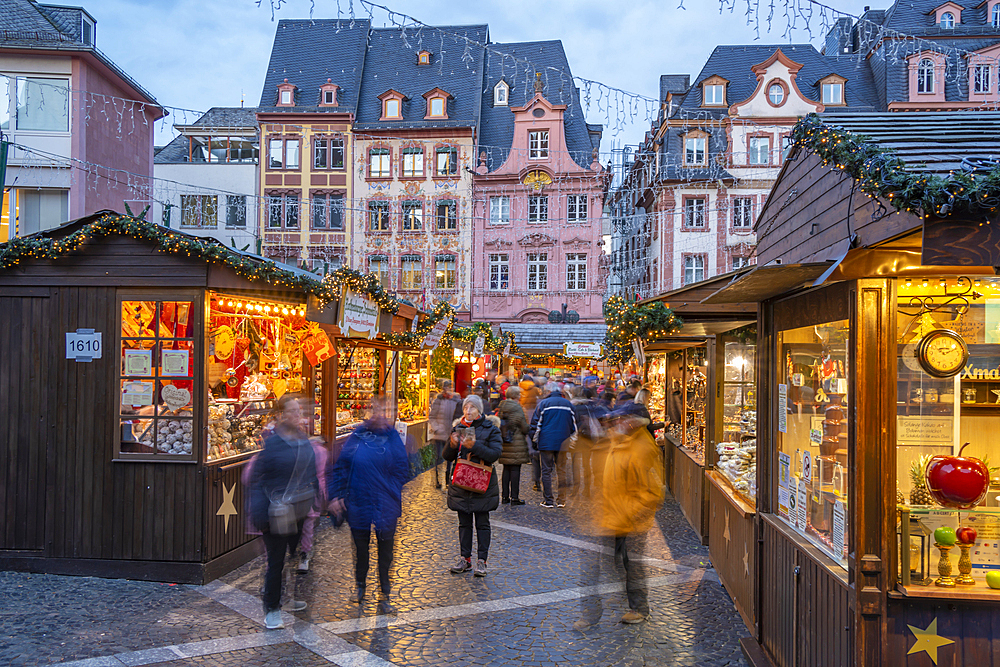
307,53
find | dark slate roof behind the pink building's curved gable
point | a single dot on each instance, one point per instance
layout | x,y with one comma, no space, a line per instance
516,63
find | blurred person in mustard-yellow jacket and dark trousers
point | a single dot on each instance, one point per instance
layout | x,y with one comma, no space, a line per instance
632,490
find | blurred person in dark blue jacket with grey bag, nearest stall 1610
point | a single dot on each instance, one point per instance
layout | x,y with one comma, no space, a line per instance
283,489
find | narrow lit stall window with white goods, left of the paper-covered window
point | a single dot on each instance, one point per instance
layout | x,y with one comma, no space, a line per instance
737,450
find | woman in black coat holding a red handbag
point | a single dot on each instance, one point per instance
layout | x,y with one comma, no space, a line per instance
475,444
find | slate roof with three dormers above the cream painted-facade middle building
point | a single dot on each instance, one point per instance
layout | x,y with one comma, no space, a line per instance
456,66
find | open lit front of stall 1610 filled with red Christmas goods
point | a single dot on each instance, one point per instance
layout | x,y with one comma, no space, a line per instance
255,355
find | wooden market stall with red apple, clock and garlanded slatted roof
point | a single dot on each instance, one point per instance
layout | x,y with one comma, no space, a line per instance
877,350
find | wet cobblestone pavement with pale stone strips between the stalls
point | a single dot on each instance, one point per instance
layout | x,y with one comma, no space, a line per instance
521,614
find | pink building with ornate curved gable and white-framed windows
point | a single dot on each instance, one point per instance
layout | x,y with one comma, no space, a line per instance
537,215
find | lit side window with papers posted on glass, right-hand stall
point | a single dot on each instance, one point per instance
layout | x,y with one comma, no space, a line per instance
813,400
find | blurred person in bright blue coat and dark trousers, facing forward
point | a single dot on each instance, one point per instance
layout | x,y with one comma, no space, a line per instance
366,486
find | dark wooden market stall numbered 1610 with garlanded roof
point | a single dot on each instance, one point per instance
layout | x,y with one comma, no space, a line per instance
139,365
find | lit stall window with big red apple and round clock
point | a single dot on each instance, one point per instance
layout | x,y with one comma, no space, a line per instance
947,404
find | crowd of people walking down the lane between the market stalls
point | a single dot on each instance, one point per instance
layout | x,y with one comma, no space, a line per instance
590,446
